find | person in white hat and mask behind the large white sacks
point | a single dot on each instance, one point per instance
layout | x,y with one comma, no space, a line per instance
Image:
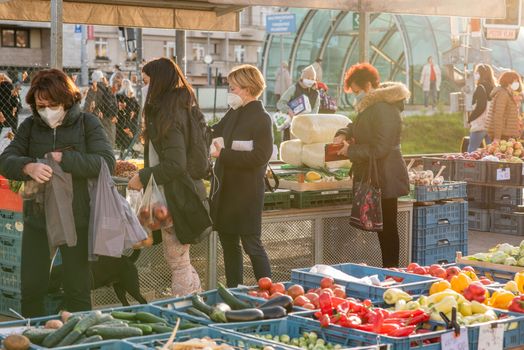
306,85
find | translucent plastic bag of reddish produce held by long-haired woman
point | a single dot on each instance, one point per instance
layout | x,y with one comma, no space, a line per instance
153,213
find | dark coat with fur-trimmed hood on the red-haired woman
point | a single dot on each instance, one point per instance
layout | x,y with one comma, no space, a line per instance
376,131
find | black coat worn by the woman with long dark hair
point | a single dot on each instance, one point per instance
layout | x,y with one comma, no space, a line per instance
185,197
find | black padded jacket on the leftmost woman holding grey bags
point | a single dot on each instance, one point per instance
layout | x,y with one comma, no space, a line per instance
84,144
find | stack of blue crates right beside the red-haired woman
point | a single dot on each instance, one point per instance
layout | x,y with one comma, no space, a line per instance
440,223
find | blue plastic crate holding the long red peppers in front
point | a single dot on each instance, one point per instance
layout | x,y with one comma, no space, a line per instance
368,338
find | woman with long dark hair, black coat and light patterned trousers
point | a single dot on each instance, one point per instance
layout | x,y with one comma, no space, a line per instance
169,107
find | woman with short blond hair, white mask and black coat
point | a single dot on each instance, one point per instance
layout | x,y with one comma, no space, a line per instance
237,198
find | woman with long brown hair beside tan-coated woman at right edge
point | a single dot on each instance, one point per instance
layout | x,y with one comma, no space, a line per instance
478,117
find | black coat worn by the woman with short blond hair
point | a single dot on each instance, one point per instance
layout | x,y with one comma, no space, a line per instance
238,192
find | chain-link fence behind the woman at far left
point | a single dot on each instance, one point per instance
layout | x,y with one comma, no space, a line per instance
114,97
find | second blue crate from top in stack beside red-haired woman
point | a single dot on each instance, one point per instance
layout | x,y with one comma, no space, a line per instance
448,213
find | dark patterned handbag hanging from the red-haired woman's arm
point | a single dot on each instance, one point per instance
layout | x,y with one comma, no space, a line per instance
366,212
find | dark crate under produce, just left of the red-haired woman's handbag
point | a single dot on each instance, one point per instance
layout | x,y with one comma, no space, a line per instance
312,199
